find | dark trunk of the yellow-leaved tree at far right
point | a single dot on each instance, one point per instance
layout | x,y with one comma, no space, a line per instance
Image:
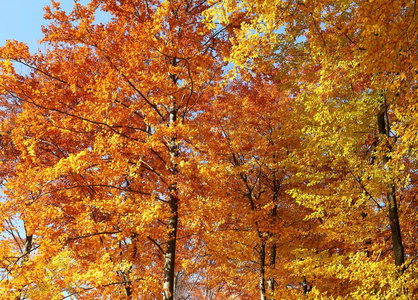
398,250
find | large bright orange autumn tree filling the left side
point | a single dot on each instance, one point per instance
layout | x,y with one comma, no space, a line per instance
102,134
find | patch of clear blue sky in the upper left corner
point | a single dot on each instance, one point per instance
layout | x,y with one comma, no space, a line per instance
21,20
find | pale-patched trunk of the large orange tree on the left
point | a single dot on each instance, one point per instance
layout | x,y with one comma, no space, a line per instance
170,253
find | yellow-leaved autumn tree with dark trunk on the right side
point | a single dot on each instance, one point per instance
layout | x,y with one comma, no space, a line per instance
358,159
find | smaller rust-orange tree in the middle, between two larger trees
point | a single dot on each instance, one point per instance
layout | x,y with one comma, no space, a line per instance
247,169
